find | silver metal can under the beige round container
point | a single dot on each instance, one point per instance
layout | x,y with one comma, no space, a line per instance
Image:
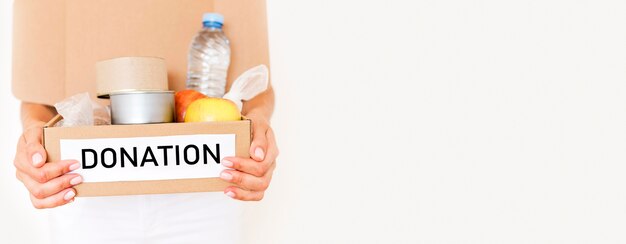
142,107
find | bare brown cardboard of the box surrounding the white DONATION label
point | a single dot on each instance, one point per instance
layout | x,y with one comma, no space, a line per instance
52,135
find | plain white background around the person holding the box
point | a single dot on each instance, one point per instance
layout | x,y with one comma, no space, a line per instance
445,121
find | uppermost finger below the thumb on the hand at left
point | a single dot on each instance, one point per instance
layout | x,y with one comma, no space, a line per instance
48,171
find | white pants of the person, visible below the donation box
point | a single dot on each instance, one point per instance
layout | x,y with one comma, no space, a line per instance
170,218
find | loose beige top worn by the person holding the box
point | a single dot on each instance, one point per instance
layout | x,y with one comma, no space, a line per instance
56,43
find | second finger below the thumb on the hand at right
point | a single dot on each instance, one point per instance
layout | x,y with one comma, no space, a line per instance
248,181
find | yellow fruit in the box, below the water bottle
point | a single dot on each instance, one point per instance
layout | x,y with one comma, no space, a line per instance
212,109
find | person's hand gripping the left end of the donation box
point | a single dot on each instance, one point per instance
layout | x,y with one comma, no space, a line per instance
47,183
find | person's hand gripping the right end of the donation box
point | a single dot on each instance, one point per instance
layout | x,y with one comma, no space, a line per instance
252,176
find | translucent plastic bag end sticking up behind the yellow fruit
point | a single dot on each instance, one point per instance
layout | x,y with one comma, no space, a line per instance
248,85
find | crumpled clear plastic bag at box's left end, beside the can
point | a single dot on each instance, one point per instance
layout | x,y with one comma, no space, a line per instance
80,110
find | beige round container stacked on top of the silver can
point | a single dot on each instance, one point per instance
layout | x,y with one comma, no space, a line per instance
130,74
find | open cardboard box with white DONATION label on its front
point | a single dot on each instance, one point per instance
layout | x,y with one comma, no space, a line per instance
183,157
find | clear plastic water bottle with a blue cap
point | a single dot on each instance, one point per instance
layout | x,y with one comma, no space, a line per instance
209,57
